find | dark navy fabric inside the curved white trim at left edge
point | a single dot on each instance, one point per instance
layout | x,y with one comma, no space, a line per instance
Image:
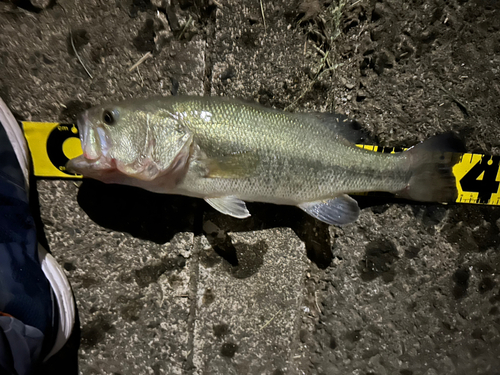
25,292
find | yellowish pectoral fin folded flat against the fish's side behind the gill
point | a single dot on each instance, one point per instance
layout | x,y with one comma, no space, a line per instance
241,165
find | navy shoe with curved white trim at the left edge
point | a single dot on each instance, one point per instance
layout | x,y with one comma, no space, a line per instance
37,308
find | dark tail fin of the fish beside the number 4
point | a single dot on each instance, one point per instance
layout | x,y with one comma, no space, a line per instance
432,161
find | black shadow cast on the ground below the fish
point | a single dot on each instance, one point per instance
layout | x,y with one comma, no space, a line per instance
158,217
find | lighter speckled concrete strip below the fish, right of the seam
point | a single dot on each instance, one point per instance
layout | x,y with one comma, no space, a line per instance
253,315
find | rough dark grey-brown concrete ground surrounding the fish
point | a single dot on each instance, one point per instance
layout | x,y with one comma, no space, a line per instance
165,285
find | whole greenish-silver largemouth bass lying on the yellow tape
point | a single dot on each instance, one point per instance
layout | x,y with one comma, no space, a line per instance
230,151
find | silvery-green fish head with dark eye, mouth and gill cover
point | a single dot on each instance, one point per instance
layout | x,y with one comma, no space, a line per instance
132,139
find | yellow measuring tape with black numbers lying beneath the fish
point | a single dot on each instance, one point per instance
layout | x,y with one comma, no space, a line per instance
53,144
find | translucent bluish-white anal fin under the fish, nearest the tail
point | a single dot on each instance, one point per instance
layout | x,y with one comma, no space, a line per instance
341,210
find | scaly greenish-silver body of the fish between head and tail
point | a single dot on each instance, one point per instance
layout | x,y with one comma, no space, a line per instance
301,159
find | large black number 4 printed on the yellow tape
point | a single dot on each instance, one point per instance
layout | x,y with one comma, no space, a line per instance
488,167
